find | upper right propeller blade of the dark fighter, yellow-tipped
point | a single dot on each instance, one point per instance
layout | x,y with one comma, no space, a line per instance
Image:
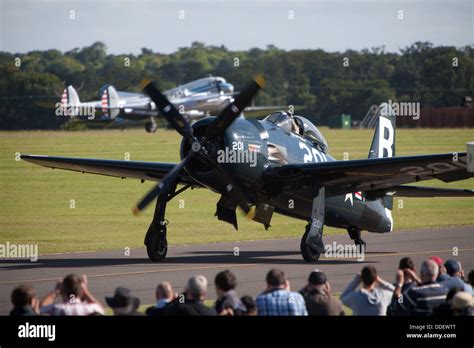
233,110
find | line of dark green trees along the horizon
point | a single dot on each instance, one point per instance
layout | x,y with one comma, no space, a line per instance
322,85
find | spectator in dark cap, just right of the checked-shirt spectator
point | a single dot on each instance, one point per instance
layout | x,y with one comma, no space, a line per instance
317,296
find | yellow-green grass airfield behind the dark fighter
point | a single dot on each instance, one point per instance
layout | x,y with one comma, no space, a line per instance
65,211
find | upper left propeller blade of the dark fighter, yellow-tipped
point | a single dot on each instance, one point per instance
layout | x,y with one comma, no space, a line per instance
167,109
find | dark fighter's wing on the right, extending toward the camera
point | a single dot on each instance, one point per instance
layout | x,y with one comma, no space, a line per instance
341,177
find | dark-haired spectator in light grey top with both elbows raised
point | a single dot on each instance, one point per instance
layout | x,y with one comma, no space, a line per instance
368,294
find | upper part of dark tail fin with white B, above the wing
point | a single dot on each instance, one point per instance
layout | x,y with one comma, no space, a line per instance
383,143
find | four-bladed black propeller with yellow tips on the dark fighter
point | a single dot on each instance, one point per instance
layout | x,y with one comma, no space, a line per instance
215,129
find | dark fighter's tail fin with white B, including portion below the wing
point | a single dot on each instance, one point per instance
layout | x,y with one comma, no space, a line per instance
383,145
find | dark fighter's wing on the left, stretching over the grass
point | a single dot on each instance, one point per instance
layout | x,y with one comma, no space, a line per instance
154,171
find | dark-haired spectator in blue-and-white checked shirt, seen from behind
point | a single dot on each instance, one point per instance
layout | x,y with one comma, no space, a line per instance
278,299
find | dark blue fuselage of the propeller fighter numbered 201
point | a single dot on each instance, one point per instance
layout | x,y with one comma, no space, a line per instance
274,147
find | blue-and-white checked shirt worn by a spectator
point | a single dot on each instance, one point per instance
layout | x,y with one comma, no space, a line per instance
281,302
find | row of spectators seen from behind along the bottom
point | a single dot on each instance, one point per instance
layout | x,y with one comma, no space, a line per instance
440,288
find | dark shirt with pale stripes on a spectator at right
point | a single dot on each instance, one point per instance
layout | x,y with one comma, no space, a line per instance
421,300
